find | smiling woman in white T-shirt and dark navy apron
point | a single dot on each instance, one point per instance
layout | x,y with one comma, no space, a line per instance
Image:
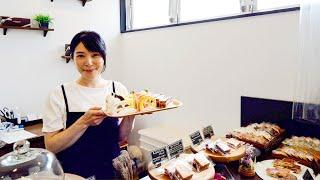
84,139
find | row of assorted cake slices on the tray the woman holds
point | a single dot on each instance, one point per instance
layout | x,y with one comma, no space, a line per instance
138,103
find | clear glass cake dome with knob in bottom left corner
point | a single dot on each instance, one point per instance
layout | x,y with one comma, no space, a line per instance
26,163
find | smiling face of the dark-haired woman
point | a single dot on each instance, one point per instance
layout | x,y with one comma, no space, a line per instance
89,64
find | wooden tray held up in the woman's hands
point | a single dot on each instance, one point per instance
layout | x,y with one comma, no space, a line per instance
174,104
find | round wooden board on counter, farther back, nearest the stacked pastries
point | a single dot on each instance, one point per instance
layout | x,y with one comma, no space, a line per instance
234,155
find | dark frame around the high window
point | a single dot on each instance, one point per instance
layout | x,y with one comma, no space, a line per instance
123,17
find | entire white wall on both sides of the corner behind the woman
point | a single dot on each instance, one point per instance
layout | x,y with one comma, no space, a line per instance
207,66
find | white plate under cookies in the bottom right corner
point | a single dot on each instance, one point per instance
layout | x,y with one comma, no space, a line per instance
261,167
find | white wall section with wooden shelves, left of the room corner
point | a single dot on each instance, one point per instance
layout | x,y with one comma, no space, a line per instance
30,63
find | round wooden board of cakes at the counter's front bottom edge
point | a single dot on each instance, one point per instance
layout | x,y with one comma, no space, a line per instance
156,173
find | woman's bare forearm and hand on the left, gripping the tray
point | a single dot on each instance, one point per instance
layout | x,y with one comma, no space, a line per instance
60,140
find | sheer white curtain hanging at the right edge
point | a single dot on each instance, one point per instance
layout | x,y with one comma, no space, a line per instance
307,94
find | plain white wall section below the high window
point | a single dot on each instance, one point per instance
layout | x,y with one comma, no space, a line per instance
209,66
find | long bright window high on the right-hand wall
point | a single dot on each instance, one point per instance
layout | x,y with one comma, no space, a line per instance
140,14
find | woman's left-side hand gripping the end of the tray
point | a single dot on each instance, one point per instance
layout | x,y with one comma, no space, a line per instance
93,117
